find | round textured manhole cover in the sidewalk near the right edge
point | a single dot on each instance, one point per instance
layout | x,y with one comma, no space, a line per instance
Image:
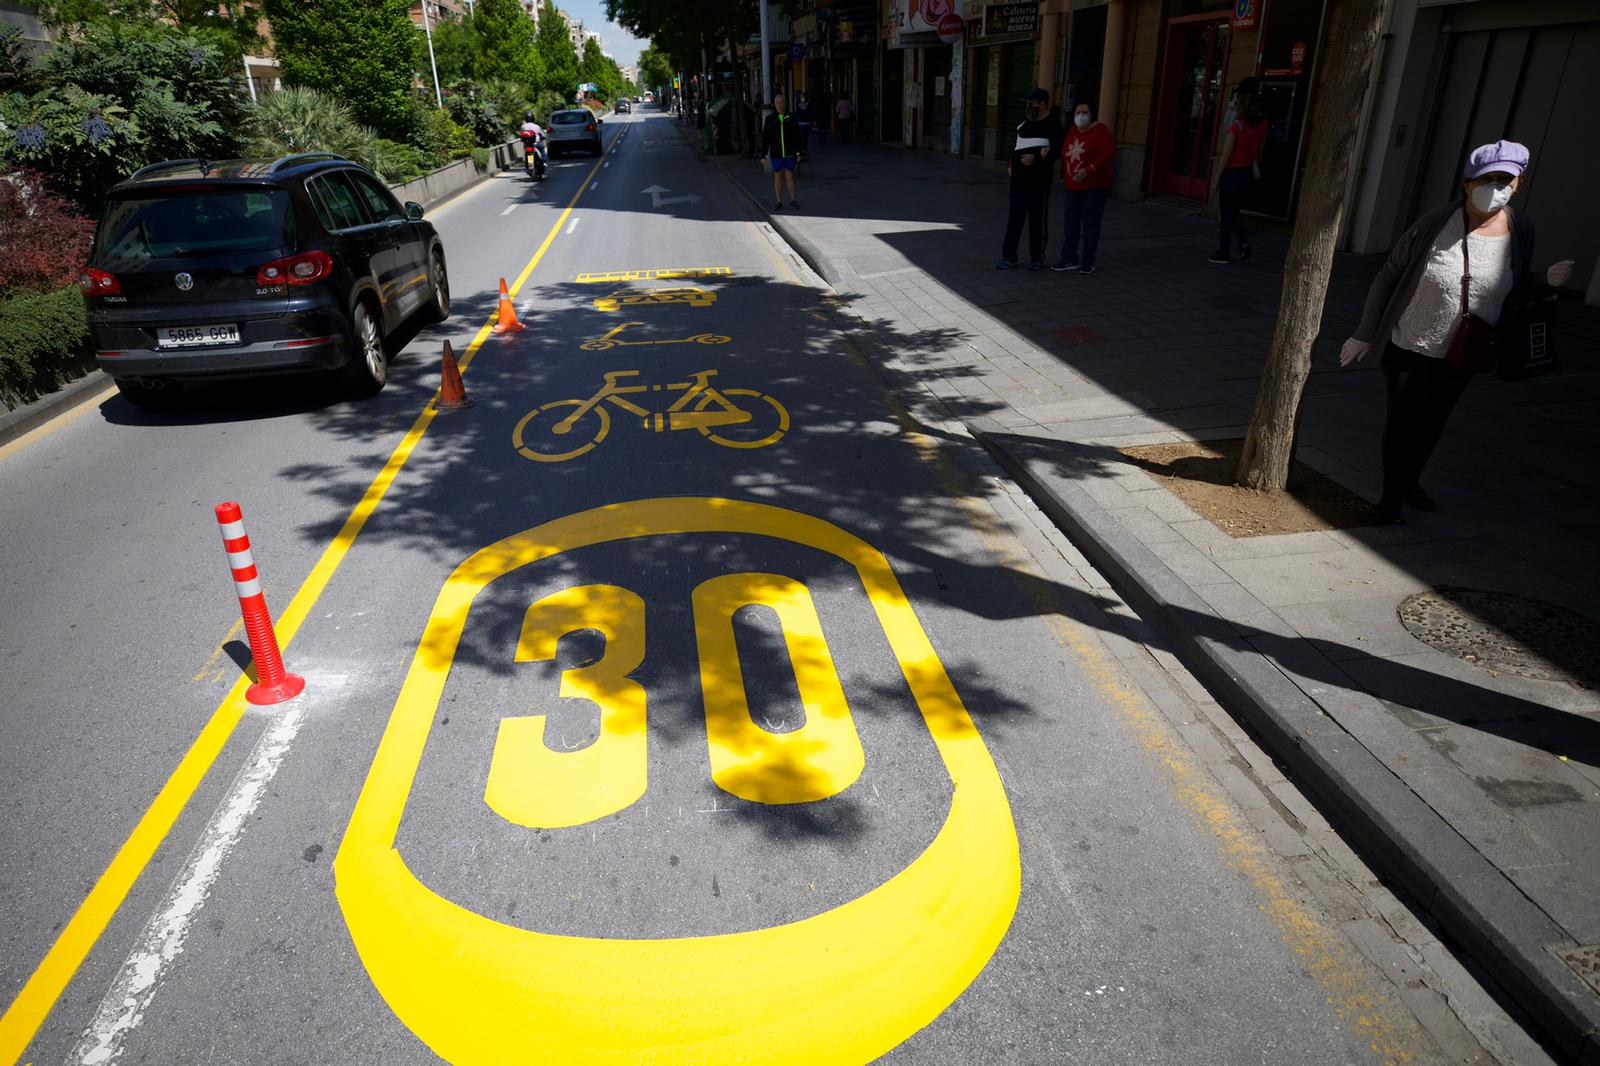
1506,633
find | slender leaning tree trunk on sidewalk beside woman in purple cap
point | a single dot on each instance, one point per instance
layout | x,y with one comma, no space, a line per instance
1348,60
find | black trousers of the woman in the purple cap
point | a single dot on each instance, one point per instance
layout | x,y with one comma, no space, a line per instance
1422,396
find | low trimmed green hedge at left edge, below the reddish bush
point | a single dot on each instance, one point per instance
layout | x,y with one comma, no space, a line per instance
44,342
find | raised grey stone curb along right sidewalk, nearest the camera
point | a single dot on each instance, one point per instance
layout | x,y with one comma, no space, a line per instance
1455,884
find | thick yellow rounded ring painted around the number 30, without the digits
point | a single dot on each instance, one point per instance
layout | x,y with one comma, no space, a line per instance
842,987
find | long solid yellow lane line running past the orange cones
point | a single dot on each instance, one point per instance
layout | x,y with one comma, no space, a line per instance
66,955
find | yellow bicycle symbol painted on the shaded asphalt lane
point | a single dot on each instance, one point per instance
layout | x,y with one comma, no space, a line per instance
548,436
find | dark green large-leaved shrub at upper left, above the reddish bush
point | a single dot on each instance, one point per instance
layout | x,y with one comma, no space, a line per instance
116,97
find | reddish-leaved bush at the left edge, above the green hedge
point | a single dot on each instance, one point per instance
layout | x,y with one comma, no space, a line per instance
44,241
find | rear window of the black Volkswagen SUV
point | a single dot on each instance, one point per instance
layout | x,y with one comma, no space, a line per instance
206,222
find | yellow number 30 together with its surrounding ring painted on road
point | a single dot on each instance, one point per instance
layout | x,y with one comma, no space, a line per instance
842,987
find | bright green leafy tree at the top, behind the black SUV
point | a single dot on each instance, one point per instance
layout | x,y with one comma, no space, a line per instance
364,52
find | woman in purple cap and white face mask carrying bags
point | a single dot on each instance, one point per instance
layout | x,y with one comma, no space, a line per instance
1414,311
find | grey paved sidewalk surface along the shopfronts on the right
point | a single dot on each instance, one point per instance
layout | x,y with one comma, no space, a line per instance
1162,347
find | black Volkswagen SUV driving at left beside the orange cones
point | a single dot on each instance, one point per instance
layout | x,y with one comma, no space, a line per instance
257,266
